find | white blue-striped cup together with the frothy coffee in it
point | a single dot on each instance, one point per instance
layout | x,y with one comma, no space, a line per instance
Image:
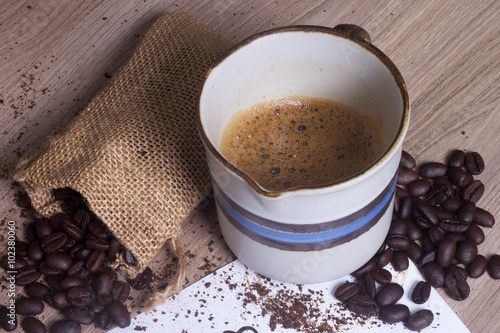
303,128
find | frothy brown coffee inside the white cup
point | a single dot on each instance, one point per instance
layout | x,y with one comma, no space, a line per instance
301,141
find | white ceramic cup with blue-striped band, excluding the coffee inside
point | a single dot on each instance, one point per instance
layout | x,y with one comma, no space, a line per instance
320,233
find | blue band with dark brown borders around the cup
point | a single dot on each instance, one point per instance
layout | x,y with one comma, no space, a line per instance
305,237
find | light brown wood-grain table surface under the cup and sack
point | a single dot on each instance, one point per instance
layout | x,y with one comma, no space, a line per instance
56,55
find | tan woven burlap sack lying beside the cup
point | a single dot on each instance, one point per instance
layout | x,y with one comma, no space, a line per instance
134,153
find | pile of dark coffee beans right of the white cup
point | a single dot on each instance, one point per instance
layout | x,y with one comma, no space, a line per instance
437,224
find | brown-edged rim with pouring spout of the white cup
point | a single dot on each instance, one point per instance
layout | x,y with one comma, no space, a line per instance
377,164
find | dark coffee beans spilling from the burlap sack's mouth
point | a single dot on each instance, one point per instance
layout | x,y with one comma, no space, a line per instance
62,264
